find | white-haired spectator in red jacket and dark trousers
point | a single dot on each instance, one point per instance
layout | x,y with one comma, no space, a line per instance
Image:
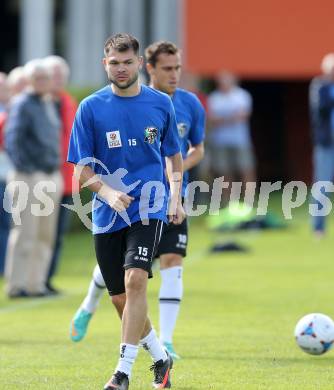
66,107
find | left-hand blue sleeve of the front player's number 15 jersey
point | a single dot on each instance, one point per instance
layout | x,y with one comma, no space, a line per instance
82,136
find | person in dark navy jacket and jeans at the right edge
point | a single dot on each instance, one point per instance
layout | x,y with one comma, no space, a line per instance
322,121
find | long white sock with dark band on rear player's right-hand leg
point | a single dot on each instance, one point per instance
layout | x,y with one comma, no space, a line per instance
170,296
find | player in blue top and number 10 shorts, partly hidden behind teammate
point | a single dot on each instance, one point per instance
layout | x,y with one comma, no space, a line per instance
164,67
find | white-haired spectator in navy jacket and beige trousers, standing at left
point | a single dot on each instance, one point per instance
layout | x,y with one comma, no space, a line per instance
32,141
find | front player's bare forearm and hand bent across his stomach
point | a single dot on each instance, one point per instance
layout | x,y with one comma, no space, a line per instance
117,200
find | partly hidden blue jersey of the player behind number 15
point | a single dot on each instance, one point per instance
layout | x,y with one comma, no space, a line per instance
190,117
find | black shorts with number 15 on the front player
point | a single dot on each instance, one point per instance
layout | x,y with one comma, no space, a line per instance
132,247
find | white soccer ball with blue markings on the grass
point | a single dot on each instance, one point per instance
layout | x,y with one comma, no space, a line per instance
314,333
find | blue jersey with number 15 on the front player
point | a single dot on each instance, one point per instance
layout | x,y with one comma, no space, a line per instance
128,138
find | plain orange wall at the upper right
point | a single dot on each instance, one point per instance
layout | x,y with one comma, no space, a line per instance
259,38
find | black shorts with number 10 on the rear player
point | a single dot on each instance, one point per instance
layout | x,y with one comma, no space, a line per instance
174,239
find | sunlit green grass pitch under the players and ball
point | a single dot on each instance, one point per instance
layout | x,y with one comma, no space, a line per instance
235,330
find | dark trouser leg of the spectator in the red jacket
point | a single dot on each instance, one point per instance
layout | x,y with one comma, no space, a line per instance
63,223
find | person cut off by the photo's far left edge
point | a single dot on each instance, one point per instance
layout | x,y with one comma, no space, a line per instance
4,169
